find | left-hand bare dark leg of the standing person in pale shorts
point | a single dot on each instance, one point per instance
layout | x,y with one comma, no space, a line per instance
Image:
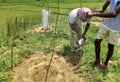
97,43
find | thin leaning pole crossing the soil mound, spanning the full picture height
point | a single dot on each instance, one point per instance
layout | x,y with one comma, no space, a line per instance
53,48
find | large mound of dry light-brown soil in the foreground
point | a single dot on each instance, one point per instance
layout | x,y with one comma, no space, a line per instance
35,69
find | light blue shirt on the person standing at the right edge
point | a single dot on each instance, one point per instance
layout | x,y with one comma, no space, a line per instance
113,24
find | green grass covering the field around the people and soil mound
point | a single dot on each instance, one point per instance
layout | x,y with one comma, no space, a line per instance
28,13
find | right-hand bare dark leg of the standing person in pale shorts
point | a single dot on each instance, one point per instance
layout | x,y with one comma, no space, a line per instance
109,55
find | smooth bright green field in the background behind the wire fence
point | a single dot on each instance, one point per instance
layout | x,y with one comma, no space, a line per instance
12,10
